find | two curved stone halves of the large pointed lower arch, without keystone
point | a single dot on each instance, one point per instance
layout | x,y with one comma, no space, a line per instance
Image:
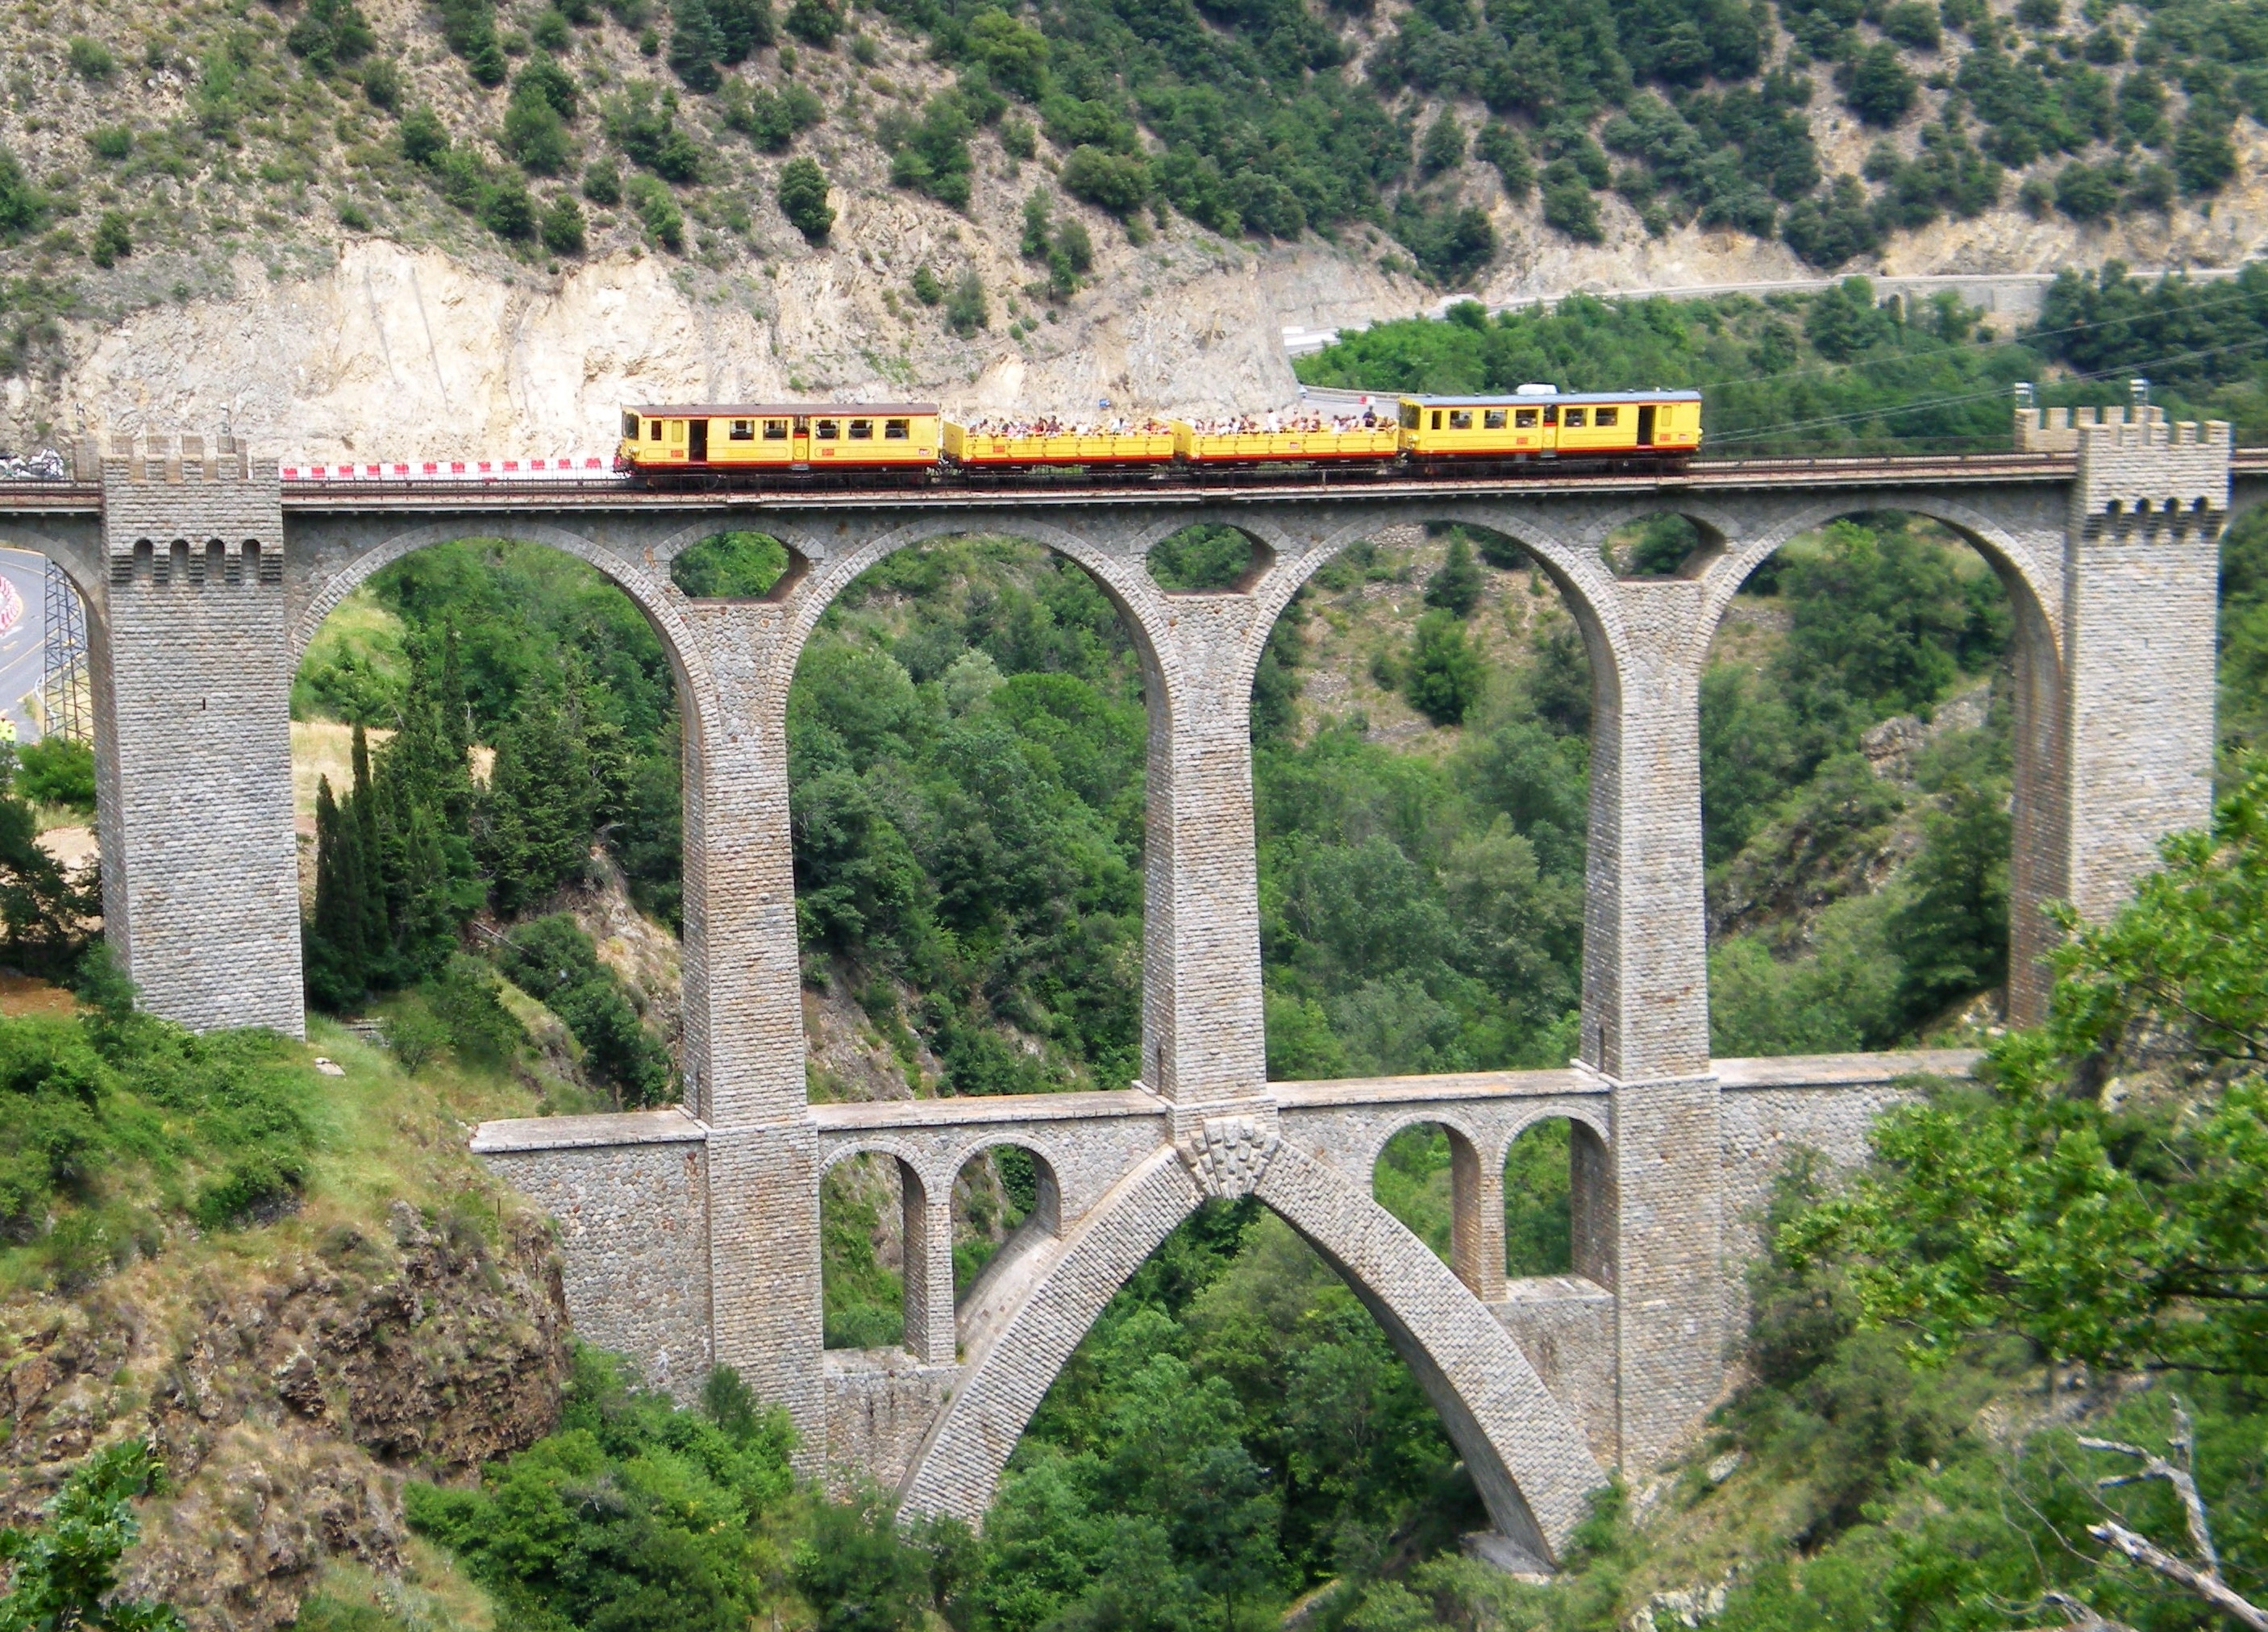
1525,1452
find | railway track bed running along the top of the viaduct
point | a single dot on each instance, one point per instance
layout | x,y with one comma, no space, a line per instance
1704,475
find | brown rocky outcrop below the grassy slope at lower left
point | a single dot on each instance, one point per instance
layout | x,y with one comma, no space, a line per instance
287,1402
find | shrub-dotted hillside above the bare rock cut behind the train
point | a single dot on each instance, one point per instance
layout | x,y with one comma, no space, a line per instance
149,148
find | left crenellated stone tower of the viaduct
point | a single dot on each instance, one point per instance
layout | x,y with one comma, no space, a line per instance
201,872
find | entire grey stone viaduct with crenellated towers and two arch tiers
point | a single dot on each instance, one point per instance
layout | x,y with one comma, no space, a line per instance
693,1234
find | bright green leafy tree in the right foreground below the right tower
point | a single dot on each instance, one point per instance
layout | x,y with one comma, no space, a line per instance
2106,1193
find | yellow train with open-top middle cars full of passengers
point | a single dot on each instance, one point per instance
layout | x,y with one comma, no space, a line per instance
915,443
